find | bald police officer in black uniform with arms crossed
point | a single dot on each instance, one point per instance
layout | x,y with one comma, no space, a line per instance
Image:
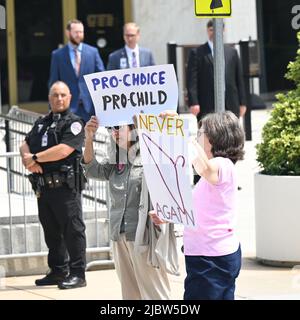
51,152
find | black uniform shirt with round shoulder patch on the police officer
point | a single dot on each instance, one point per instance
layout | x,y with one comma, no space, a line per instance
48,132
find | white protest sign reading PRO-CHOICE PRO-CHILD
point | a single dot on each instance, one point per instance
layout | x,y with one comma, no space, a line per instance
120,94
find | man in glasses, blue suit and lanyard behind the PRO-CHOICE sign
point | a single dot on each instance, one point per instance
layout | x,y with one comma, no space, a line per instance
131,55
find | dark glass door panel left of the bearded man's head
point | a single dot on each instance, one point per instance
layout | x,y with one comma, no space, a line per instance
38,25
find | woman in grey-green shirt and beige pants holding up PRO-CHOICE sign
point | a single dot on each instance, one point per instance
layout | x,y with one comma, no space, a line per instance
140,264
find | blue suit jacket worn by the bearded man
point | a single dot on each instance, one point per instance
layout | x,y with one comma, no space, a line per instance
62,69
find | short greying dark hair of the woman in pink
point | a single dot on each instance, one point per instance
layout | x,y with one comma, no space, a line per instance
225,135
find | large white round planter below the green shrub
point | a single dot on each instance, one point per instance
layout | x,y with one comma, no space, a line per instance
277,219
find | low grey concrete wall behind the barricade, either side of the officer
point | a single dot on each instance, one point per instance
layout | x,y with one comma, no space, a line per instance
34,261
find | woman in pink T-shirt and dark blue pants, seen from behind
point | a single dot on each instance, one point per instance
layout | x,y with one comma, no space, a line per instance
212,250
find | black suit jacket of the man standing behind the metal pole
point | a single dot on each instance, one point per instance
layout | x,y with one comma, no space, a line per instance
200,80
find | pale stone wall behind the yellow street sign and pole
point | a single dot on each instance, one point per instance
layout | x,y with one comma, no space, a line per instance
162,21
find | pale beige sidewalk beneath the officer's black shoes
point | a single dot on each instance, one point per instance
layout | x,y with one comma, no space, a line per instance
256,282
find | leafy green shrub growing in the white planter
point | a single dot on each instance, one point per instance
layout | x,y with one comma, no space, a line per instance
279,151
